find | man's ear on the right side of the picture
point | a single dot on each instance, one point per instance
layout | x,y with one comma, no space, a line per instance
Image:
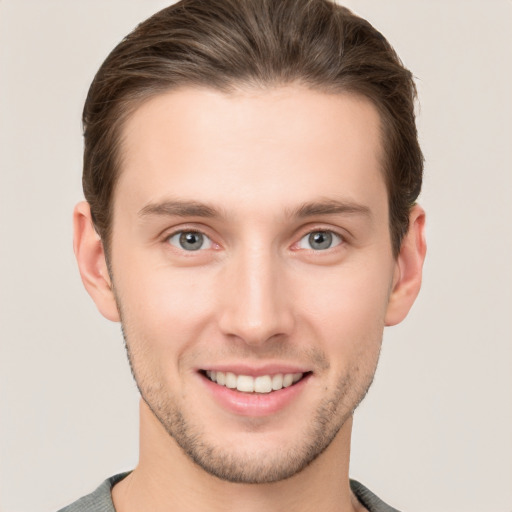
408,269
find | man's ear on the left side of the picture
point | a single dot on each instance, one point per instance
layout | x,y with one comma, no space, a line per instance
92,264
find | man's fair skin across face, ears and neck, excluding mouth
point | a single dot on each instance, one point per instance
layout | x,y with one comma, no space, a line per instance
256,172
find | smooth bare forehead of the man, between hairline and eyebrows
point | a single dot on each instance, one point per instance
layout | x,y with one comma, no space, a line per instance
255,148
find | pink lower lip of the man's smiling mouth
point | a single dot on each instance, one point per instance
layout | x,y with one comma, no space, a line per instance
254,404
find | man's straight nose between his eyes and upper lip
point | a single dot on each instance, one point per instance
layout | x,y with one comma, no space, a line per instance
256,303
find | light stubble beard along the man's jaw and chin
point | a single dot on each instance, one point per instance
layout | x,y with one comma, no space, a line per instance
239,467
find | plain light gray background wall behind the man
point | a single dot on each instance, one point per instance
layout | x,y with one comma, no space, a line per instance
434,434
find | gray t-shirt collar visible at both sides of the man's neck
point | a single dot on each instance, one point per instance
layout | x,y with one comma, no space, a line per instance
101,499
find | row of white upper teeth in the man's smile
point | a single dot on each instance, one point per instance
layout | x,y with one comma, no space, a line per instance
248,384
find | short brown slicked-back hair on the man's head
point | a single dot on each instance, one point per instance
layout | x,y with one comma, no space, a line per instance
228,44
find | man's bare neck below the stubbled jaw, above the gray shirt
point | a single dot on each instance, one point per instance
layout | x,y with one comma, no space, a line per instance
166,479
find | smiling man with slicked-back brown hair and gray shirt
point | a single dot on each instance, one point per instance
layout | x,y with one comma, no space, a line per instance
251,171
